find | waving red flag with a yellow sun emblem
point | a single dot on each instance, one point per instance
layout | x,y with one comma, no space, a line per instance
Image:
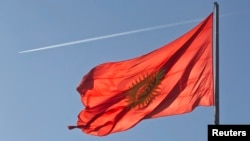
171,80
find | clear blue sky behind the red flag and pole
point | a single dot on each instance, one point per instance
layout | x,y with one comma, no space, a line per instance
38,97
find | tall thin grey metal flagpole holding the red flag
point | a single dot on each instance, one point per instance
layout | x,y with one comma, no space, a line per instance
216,43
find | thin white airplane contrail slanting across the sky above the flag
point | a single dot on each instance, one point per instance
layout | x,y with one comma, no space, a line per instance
110,36
